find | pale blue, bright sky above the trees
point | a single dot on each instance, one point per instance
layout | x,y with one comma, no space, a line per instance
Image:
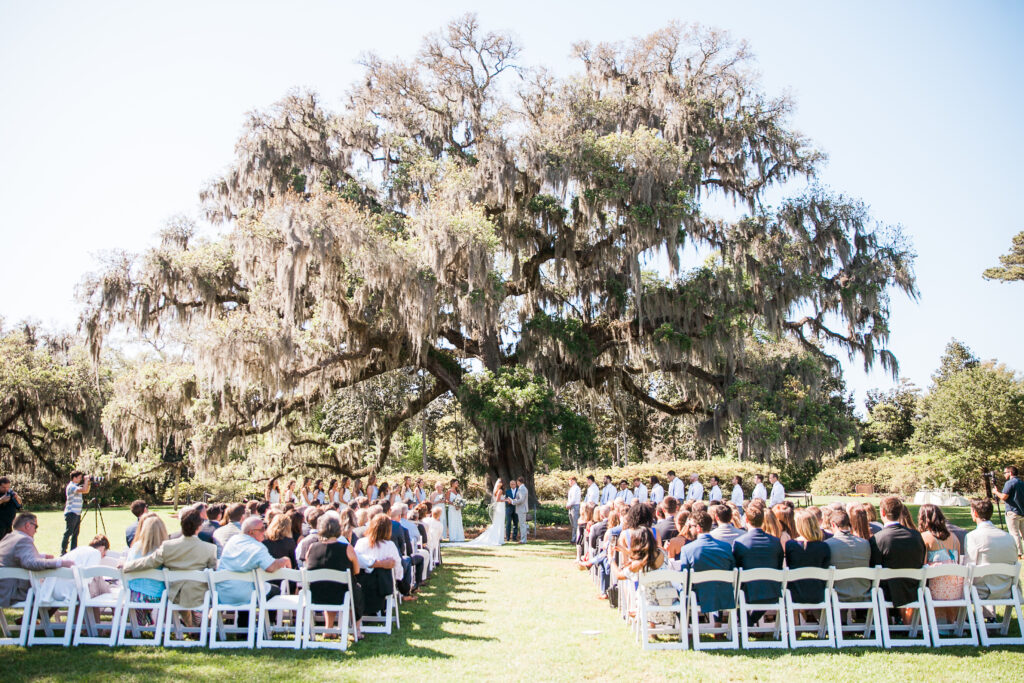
114,114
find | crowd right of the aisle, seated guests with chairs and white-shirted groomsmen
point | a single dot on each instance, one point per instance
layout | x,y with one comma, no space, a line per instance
762,574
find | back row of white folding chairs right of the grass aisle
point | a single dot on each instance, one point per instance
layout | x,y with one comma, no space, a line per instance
832,630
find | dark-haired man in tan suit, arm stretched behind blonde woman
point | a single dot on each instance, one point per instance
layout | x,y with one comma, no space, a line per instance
186,552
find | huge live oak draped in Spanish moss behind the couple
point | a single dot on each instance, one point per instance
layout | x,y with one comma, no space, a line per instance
489,224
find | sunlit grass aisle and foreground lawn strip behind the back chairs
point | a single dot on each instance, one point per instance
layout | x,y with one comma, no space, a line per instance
515,614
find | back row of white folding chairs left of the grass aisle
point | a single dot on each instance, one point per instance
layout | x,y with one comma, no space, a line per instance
165,625
